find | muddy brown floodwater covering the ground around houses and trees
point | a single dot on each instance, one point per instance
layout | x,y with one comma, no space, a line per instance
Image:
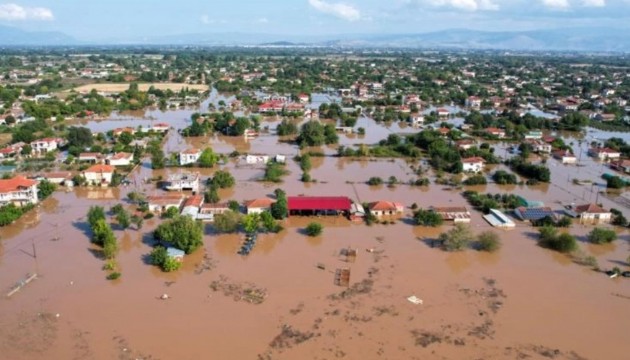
523,301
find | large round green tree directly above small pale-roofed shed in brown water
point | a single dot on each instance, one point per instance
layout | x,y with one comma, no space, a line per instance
182,232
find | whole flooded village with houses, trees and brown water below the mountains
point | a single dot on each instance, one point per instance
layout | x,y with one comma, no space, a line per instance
320,205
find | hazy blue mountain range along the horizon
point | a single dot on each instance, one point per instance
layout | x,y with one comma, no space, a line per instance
574,39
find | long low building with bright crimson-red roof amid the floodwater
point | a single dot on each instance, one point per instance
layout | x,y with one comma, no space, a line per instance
319,205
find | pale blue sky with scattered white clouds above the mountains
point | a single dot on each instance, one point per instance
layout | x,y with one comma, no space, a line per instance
104,19
